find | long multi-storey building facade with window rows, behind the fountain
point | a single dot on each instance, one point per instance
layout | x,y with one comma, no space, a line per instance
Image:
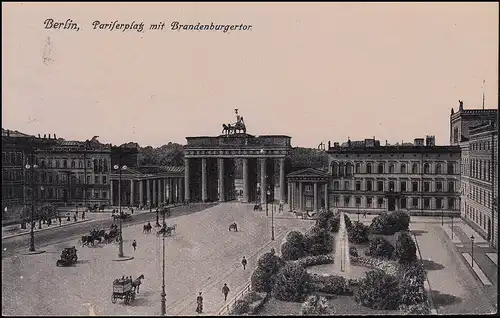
417,178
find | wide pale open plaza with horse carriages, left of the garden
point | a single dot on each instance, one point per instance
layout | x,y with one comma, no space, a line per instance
200,256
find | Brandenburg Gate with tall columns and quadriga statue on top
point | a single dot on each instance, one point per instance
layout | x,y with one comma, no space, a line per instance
229,166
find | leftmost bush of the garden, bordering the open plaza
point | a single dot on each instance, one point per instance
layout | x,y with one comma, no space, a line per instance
264,275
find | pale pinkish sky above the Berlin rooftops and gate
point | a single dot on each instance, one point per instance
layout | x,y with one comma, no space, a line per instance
315,72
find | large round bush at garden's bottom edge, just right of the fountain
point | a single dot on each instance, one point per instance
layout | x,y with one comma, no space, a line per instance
378,291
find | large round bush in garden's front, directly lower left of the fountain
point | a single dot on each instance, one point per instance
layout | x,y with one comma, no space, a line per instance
292,283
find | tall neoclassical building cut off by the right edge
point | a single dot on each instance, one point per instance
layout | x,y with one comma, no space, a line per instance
476,132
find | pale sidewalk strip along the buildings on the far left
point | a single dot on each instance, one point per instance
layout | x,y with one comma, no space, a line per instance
15,230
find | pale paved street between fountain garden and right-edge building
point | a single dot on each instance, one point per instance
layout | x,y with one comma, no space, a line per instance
456,287
